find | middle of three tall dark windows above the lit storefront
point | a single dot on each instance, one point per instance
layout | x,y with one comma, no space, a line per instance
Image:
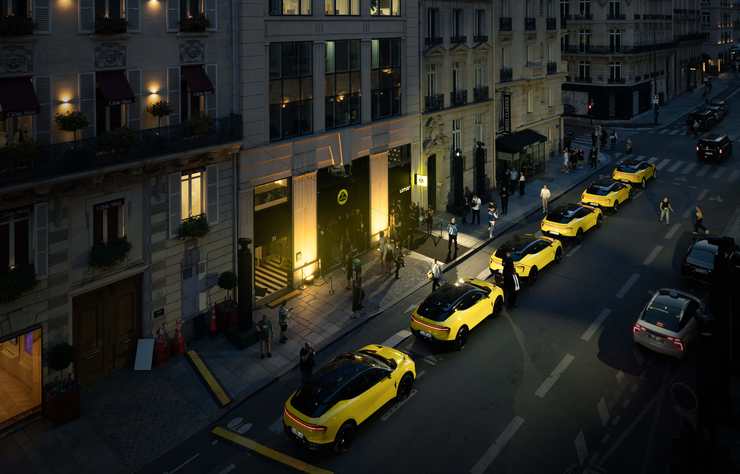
343,83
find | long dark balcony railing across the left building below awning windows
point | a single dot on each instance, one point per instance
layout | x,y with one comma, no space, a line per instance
29,162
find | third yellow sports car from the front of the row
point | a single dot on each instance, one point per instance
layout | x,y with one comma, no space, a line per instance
530,254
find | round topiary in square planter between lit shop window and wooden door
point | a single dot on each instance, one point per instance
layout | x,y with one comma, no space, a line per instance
63,396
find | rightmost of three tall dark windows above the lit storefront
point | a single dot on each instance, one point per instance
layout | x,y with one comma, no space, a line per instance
386,78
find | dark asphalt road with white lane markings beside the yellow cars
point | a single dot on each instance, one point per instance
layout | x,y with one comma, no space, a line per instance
552,386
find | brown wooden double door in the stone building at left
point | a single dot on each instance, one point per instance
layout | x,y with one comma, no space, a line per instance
106,328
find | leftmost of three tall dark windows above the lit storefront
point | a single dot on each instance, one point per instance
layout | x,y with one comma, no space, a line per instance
291,89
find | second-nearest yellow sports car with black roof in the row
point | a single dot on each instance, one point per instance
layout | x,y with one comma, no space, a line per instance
449,313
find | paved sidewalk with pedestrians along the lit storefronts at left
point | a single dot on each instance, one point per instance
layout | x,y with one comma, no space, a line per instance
131,418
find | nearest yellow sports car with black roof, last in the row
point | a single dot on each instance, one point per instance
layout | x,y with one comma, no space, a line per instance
326,410
